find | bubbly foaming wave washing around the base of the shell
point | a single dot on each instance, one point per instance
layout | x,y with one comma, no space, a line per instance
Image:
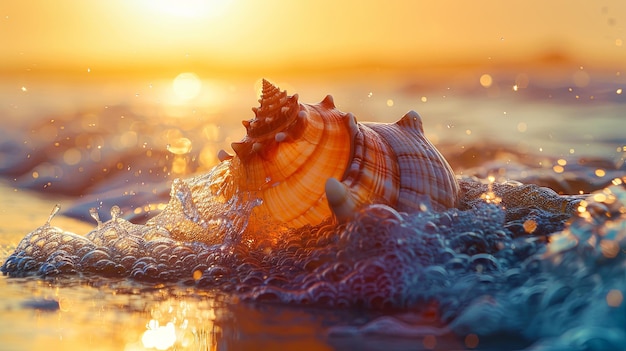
477,267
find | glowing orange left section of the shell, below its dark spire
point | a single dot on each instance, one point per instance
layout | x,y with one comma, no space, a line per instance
289,175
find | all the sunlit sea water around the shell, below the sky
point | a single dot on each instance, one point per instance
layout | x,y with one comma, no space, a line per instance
516,266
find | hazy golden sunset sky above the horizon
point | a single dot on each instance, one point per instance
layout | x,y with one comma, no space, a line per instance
252,35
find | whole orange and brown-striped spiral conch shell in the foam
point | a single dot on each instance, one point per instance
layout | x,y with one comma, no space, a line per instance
308,162
